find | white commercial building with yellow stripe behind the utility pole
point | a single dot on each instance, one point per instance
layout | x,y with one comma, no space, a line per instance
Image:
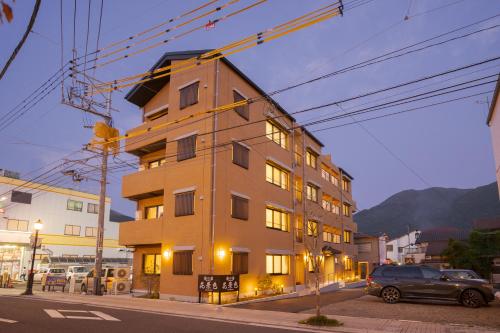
69,220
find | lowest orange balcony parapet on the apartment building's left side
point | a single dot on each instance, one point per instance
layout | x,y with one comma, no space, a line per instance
140,232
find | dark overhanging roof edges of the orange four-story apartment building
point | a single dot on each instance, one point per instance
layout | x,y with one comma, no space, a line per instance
142,93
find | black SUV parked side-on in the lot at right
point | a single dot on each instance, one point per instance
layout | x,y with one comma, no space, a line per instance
393,283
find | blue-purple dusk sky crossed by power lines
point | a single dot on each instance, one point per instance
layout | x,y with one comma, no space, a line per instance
448,146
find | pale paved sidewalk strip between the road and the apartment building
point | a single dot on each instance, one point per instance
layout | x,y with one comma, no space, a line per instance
252,317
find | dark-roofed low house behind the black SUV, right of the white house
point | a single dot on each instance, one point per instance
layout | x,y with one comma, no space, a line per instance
432,243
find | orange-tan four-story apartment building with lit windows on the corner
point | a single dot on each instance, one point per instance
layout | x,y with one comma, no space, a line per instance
242,191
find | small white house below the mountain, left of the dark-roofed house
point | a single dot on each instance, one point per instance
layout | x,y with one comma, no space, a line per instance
400,248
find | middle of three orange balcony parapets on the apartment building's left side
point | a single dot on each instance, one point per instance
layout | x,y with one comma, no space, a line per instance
143,184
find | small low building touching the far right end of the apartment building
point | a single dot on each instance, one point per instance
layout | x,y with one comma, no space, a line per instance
371,252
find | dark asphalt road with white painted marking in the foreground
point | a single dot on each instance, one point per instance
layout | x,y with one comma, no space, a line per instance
31,315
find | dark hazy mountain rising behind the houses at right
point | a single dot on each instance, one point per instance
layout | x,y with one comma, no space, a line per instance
429,208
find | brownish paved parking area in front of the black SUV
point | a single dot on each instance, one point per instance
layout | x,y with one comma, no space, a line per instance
374,307
